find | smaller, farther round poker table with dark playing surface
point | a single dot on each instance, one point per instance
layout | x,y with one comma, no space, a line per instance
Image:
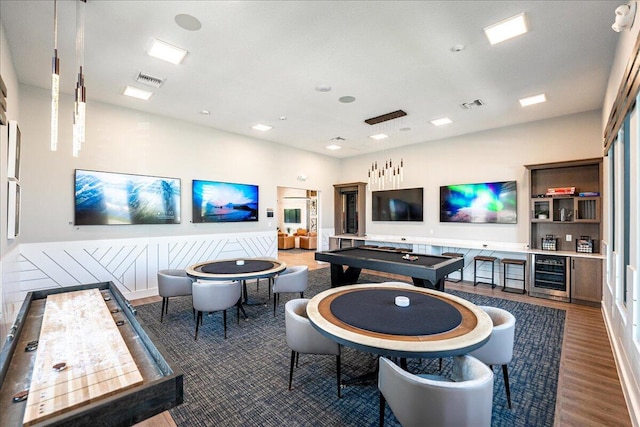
236,269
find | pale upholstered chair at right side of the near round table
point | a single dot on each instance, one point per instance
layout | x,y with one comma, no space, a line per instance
499,349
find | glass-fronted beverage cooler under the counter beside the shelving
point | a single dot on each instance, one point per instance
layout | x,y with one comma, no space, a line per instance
550,277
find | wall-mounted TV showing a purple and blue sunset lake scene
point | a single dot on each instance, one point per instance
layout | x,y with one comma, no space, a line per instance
215,201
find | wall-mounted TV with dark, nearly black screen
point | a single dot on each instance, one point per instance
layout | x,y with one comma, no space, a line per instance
397,205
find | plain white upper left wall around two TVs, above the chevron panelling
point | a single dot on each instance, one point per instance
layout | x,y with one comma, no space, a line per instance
127,141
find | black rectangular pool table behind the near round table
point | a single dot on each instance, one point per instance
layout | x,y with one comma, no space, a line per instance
425,270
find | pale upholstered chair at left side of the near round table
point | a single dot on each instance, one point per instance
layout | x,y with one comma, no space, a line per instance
302,337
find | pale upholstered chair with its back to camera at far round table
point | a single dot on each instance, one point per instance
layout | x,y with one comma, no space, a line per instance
213,296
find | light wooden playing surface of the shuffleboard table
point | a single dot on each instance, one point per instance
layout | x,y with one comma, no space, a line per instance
79,333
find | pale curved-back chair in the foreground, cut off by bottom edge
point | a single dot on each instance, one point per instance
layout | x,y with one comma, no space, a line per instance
465,399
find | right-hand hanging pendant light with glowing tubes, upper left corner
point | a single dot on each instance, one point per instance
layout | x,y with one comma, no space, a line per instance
79,110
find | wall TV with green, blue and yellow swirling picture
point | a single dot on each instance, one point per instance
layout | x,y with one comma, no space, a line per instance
489,202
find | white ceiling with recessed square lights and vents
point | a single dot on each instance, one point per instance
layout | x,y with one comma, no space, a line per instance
255,61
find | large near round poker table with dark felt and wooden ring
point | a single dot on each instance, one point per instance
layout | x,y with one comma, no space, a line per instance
365,317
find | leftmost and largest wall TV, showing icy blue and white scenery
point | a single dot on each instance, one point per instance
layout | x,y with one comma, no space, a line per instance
103,198
